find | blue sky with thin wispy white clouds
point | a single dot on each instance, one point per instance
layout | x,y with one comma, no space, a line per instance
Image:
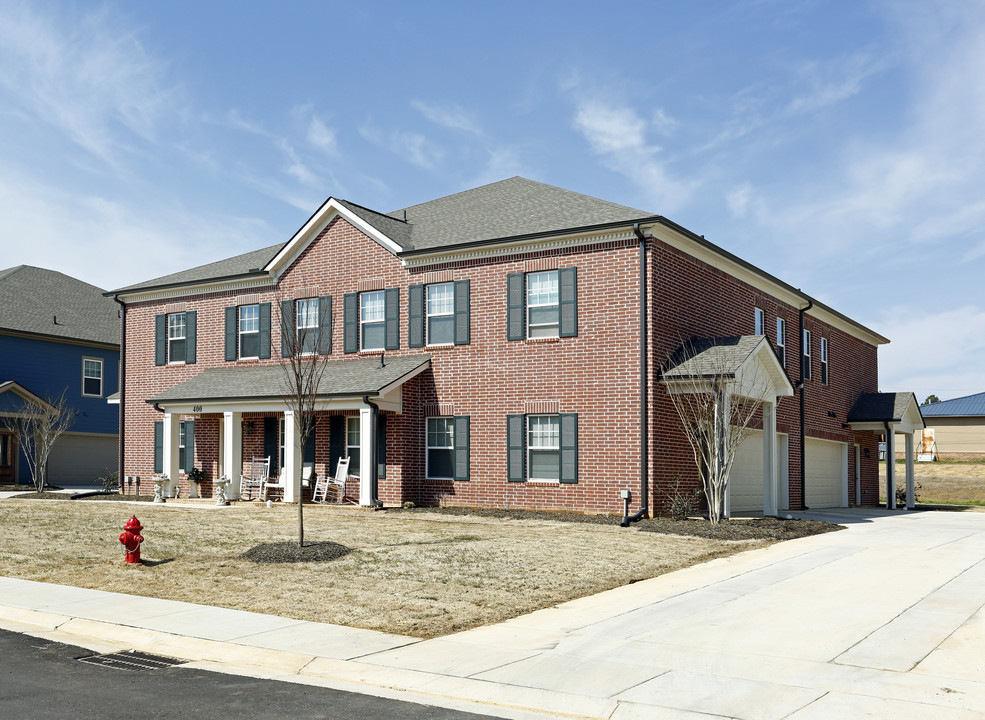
837,145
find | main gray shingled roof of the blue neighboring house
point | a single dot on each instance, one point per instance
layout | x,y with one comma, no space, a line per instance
49,303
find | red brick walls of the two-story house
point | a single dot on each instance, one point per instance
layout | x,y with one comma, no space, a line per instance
595,375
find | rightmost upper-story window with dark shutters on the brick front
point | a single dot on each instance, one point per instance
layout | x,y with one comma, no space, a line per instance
542,304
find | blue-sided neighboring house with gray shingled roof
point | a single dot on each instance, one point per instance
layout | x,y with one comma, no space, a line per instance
59,334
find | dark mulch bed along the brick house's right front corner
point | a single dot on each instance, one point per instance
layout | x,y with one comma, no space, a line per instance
759,528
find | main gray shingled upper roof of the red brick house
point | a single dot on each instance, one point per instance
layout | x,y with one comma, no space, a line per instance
503,209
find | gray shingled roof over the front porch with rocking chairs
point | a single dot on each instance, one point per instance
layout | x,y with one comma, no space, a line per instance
341,377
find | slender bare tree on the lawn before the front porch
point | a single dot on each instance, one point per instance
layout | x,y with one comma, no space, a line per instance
304,367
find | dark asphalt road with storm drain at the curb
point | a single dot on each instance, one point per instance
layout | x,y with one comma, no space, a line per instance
41,680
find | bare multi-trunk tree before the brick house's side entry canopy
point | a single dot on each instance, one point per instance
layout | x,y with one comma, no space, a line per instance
718,393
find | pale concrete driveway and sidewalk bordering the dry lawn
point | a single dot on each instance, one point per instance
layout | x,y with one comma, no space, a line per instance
884,619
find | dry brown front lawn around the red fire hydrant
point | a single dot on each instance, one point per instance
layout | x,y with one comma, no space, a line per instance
420,574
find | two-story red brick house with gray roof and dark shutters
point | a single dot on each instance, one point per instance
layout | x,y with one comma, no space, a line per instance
498,347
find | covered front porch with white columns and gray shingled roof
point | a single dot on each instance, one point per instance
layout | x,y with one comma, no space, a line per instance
363,388
